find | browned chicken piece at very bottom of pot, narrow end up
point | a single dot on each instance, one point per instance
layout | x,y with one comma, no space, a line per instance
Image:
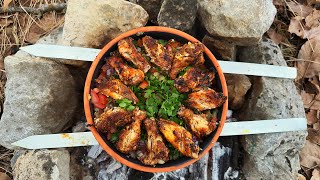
157,152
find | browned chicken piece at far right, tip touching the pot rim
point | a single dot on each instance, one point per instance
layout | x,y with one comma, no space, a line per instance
206,99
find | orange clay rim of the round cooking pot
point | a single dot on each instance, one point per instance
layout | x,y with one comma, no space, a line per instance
87,103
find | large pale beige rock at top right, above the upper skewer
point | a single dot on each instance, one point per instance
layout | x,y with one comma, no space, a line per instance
243,21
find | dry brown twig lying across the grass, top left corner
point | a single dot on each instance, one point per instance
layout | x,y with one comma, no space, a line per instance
58,7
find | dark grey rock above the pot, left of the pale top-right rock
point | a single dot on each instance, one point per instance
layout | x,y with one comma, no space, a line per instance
178,14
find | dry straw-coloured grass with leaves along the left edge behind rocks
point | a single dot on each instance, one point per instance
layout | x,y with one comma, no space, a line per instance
16,30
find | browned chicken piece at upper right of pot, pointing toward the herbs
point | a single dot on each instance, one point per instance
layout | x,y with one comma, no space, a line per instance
187,55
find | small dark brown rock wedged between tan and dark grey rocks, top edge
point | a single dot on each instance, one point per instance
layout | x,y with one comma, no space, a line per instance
151,6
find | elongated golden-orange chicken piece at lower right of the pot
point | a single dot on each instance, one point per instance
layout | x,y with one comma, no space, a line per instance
179,137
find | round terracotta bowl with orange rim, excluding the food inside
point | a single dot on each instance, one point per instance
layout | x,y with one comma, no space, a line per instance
156,32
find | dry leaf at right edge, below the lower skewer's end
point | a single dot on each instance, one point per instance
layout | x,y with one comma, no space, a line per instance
310,155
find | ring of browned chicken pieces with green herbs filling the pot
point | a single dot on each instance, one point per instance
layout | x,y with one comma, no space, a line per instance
155,99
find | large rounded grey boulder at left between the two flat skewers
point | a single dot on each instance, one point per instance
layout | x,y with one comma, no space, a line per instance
40,98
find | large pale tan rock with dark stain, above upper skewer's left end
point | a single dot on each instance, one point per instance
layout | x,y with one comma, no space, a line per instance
92,23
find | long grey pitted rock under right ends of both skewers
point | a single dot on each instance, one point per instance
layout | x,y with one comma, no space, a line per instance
276,155
